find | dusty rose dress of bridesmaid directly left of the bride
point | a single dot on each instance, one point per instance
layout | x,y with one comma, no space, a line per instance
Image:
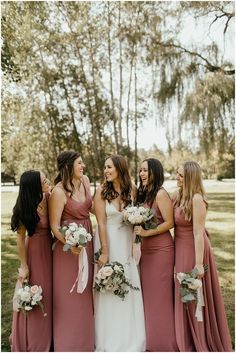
73,320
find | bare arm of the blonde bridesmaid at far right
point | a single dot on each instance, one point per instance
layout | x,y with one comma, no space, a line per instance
199,219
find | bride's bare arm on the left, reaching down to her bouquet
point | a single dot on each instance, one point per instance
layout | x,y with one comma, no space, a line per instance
99,207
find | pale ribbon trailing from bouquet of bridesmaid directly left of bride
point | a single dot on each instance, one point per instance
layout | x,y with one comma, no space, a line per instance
82,277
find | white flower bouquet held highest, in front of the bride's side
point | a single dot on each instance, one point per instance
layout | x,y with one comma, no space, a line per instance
139,215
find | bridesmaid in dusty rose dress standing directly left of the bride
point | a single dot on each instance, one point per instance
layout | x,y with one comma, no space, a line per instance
70,201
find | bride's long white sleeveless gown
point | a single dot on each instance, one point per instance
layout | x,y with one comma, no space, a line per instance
119,324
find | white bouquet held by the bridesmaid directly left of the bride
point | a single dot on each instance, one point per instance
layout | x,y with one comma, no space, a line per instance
75,235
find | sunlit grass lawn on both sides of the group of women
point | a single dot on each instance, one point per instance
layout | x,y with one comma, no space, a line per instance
220,223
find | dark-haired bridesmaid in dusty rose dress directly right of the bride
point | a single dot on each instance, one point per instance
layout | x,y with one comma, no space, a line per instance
157,260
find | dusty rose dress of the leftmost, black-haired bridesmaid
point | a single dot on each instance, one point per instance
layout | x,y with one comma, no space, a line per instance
33,333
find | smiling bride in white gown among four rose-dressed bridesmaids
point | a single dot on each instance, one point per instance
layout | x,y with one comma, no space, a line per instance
119,324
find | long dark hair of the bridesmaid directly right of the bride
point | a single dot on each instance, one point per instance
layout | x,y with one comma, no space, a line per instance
147,193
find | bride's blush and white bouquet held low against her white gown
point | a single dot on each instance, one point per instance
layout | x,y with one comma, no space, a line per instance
111,278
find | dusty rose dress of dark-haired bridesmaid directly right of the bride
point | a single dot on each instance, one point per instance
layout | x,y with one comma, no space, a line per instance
157,279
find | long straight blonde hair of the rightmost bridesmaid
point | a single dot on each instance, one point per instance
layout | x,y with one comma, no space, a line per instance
192,184
